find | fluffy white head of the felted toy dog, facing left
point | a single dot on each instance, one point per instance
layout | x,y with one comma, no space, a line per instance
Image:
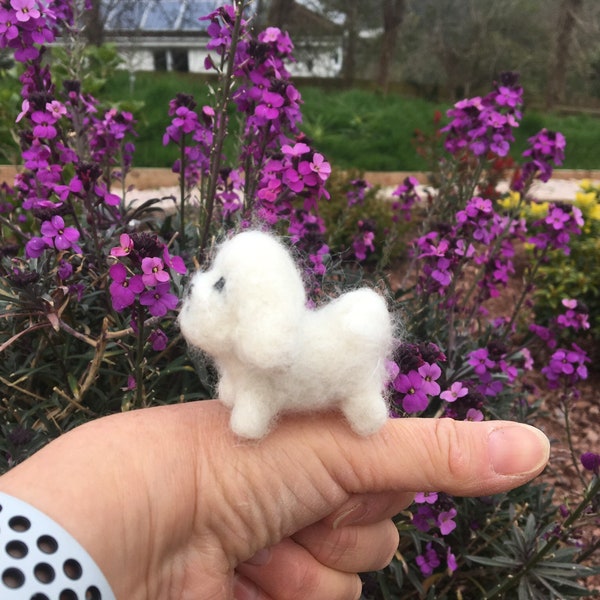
249,303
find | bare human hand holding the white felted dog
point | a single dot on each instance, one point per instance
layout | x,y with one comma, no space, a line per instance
170,504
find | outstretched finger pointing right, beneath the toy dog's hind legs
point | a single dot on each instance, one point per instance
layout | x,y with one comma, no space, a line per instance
461,458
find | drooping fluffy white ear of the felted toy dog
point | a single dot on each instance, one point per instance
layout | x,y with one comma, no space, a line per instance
269,308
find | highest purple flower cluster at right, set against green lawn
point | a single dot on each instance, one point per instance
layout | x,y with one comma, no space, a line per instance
484,125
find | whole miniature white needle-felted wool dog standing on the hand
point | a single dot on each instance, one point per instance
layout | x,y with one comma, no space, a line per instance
249,312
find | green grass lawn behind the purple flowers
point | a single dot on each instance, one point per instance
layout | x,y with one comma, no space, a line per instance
353,128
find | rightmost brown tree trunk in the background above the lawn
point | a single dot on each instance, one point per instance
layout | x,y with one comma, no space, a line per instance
568,15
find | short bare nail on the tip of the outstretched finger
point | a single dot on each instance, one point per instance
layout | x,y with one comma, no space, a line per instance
518,450
